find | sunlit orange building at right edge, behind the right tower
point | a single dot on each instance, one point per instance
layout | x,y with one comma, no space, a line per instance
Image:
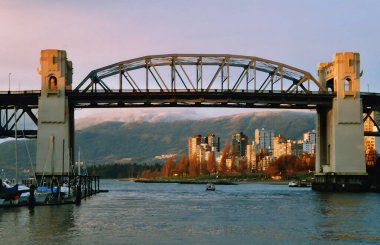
370,141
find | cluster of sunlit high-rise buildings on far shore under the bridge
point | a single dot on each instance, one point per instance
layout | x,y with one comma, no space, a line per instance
254,154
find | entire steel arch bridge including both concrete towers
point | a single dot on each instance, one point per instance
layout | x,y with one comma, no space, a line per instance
202,80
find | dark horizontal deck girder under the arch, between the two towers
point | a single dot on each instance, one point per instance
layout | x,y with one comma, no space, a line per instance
215,98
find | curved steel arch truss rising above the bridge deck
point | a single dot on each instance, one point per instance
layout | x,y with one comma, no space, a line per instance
199,73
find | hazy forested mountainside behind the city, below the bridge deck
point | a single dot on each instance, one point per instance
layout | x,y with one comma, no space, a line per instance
141,141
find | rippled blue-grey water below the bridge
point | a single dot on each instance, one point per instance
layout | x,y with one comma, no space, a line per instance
138,213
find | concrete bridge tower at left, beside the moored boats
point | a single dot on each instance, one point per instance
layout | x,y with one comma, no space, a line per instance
55,116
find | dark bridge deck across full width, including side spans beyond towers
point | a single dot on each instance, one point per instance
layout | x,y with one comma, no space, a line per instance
28,101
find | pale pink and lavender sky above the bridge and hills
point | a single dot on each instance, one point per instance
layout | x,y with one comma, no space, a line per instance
97,33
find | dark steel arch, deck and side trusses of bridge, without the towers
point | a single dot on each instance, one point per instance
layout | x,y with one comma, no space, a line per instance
185,80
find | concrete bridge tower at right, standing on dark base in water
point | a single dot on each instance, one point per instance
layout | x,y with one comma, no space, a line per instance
340,164
